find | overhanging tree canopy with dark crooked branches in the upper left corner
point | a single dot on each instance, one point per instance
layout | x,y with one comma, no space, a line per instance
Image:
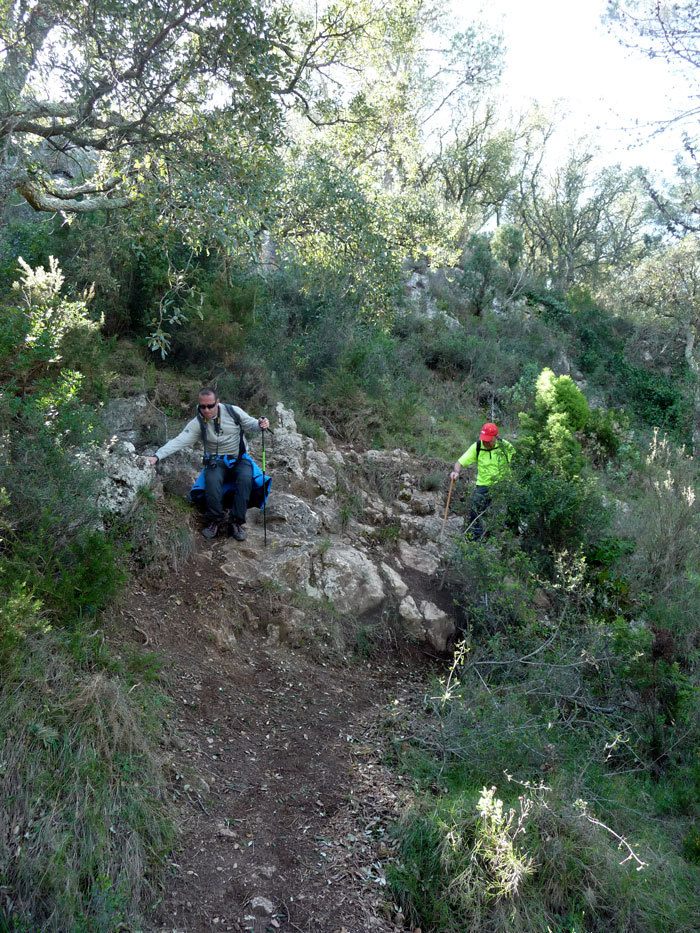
88,87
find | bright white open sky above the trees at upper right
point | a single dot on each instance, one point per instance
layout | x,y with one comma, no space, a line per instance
560,50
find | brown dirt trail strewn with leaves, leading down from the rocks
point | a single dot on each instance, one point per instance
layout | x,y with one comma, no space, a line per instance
274,764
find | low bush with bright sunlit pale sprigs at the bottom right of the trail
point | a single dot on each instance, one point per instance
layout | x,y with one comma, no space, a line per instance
532,863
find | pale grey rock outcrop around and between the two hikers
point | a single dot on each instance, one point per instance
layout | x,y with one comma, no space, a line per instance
351,528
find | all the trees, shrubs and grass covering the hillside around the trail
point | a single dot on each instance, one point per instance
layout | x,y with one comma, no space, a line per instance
155,239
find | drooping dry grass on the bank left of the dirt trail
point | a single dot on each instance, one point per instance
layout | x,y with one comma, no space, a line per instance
85,820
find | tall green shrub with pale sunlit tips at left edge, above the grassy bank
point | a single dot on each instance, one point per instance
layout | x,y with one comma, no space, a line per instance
53,558
